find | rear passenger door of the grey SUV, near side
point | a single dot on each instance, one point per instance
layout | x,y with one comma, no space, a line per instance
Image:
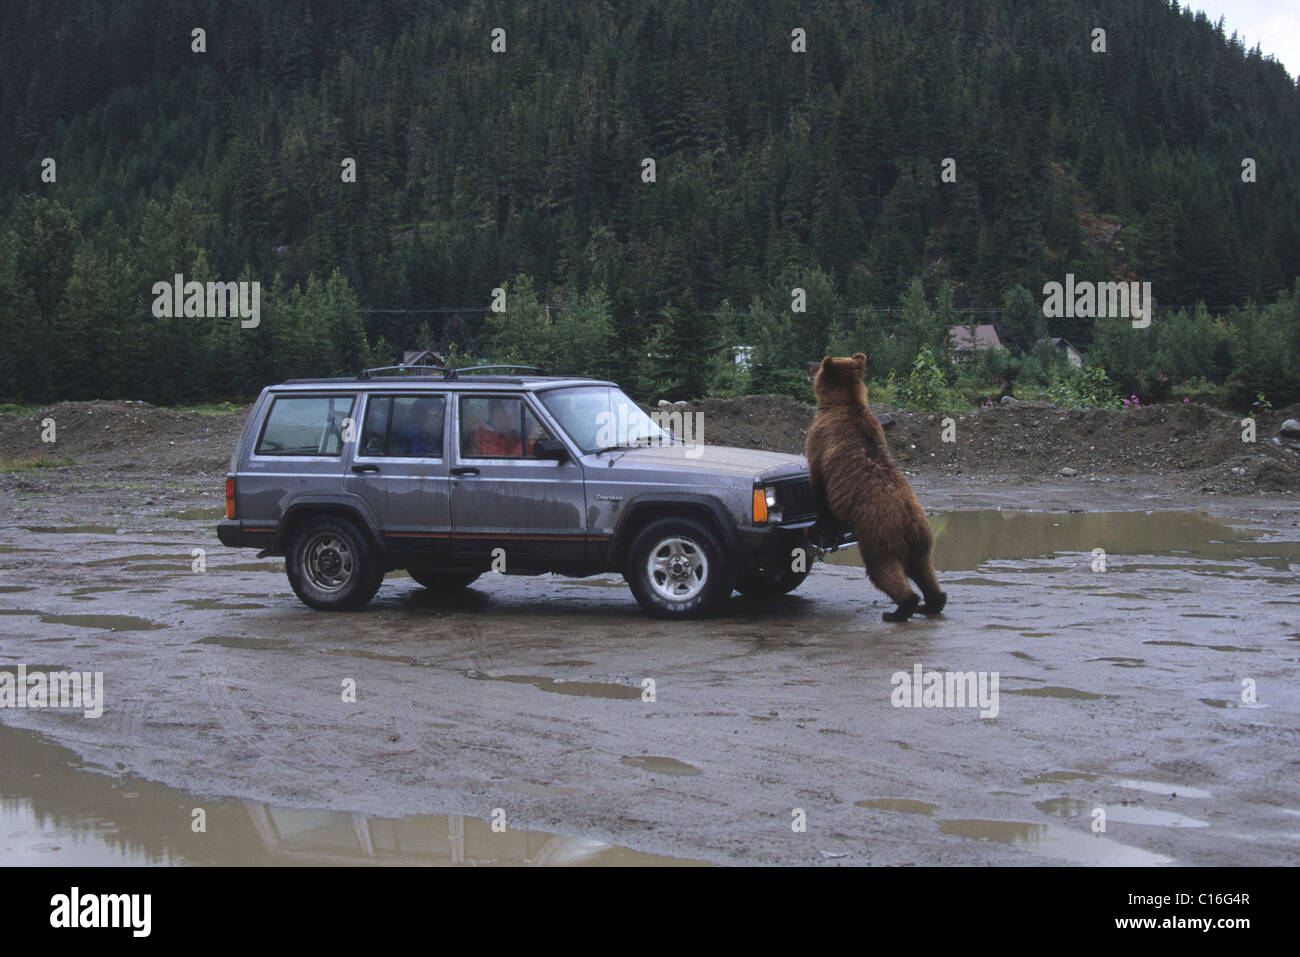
400,466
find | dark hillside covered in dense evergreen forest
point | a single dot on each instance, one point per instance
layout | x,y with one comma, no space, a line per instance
773,168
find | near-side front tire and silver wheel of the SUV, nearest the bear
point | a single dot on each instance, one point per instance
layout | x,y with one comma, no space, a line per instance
678,569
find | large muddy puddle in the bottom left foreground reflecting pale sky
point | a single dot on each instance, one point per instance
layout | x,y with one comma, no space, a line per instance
57,811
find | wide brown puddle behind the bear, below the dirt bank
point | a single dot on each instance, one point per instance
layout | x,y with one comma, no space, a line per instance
965,540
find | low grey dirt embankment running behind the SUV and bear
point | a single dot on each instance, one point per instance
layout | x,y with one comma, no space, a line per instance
1185,448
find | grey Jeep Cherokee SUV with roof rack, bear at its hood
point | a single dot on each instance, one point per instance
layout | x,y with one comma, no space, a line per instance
450,474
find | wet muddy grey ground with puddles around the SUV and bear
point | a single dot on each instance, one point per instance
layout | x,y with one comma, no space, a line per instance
1119,691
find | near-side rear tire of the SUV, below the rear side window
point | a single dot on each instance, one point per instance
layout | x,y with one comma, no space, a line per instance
332,565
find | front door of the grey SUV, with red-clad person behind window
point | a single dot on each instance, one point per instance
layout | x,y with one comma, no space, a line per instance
504,497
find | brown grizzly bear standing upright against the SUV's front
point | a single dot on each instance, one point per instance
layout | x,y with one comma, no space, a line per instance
857,483
